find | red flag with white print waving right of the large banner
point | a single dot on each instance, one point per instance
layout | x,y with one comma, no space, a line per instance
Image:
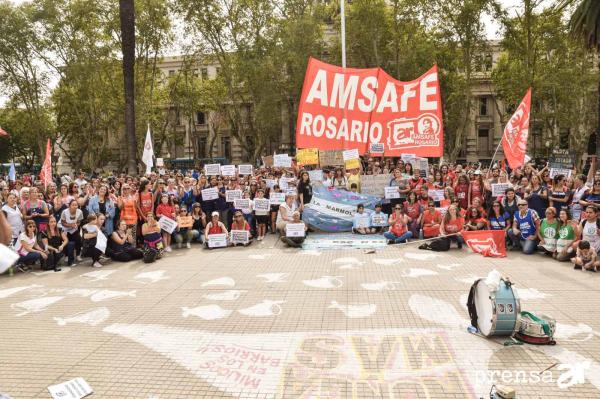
514,139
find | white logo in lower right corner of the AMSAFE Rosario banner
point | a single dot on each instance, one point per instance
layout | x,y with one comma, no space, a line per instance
414,132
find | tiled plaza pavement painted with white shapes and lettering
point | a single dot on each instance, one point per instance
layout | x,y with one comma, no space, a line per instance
273,322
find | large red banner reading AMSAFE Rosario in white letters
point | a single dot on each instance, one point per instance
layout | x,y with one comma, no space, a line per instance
346,108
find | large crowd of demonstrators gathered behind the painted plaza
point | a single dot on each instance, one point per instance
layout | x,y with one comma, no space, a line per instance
119,217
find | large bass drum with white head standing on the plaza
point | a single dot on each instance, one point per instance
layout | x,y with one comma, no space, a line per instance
494,313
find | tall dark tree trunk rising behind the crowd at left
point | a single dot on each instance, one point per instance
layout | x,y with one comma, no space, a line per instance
127,16
